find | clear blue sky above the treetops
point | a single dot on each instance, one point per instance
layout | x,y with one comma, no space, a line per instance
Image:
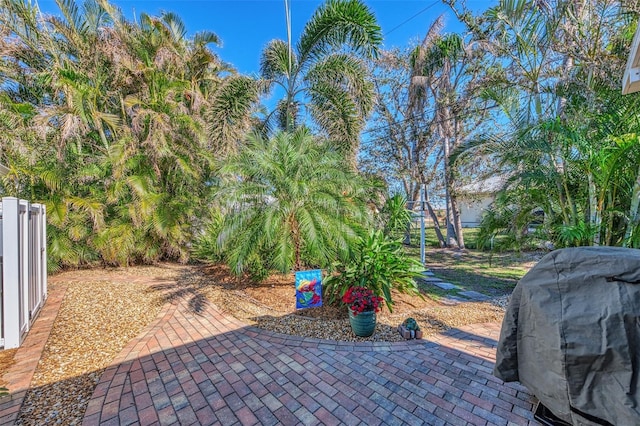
246,26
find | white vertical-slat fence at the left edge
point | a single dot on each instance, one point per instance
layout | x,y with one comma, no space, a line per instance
23,258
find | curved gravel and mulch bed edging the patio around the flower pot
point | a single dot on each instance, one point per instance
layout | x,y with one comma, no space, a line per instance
331,322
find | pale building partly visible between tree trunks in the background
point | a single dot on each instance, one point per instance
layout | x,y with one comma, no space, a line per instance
475,198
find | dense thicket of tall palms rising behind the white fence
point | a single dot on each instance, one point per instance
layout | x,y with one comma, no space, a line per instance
115,127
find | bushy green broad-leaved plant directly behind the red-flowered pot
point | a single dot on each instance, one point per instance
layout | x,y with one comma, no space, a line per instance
379,264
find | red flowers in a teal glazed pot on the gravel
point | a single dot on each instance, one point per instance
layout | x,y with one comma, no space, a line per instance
363,305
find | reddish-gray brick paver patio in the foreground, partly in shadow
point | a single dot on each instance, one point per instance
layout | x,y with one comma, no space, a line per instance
209,368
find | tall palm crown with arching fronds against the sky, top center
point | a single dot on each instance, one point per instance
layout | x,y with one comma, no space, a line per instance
325,73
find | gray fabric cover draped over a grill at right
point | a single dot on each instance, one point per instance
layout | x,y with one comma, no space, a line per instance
571,335
